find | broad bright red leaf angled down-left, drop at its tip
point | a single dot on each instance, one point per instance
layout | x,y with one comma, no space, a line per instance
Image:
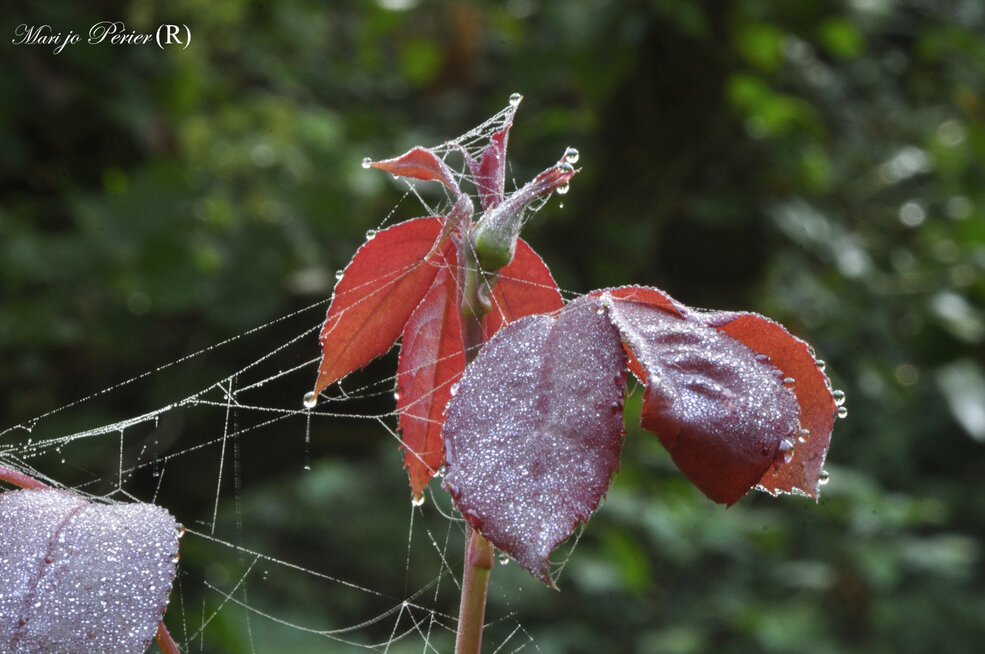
385,280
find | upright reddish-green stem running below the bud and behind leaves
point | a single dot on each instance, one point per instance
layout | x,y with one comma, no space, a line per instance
479,556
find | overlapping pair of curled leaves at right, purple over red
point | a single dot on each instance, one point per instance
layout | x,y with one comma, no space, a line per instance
748,397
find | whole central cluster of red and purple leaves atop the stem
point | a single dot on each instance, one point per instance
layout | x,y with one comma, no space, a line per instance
534,434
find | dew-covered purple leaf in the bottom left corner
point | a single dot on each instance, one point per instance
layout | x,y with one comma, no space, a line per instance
78,577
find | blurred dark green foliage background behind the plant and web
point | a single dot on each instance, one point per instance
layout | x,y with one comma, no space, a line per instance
820,162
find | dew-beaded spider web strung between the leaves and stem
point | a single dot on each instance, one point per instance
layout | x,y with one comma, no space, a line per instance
266,559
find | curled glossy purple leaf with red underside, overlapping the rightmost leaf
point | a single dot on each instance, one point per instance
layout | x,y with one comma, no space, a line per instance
721,410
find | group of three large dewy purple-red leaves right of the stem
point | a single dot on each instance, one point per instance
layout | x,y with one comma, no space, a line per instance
534,434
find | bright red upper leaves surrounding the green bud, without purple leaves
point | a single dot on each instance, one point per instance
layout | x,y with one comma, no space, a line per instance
405,283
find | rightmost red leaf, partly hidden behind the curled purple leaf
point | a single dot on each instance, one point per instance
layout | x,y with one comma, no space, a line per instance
817,406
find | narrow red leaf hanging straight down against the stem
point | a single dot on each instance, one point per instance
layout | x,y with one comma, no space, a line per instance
432,358
